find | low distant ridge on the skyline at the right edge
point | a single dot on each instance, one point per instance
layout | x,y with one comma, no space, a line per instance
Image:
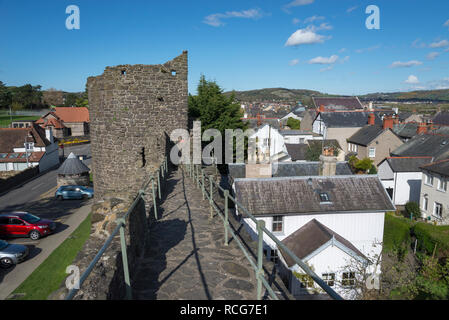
425,95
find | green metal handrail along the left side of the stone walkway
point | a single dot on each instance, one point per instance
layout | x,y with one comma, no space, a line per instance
121,225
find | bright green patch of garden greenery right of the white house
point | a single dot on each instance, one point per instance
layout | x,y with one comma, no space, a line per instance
396,232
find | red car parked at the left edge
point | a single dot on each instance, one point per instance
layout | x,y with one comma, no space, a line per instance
24,224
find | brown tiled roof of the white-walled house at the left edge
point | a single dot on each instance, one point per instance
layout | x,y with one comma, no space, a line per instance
11,138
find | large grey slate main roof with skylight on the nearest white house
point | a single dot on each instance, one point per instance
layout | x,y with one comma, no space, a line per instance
301,195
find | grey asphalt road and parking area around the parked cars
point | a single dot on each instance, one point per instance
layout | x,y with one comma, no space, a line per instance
37,197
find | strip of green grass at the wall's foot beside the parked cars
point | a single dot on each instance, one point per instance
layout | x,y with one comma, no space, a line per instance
51,273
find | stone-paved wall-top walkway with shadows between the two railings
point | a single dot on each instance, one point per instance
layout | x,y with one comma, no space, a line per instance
186,257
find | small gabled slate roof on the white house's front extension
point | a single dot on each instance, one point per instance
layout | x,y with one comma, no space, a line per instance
311,237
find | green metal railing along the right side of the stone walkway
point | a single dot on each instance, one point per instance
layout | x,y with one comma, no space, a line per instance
197,173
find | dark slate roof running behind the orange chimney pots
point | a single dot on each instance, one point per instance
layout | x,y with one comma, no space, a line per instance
351,119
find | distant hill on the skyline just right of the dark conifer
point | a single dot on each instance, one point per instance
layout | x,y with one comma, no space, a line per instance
275,95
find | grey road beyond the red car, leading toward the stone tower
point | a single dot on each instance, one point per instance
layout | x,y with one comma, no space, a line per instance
31,191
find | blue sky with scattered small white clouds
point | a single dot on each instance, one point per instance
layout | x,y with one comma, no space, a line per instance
321,45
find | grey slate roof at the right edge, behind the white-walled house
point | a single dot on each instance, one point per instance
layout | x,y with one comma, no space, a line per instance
424,145
